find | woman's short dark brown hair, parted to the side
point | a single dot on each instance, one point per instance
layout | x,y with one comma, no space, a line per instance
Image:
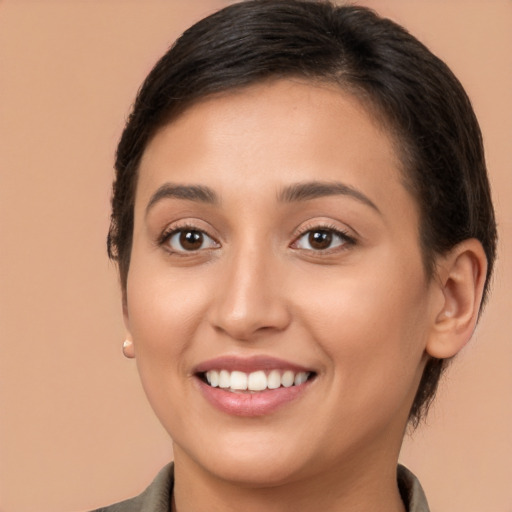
411,91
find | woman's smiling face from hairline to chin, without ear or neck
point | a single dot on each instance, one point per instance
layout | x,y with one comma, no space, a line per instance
275,242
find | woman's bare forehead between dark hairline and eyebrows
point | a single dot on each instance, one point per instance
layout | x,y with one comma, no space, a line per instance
270,134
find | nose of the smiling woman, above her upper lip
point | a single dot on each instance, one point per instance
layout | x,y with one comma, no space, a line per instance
251,298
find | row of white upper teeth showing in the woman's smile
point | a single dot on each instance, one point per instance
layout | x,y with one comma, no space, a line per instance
255,381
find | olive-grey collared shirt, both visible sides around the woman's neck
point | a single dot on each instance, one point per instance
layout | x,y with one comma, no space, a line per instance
157,497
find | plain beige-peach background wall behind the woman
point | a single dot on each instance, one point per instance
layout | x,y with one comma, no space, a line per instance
75,429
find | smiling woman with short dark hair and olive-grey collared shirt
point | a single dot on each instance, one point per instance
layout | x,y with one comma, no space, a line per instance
305,235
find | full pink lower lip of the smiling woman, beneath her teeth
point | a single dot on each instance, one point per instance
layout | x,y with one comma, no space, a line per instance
257,403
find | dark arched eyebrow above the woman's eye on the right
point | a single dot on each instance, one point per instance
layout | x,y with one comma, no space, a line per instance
315,189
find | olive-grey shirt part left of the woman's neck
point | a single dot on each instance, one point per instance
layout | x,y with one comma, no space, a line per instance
156,498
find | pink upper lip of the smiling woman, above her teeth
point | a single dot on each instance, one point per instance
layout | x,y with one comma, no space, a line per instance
248,364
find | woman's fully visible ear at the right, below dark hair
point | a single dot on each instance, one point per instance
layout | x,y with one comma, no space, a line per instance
461,275
